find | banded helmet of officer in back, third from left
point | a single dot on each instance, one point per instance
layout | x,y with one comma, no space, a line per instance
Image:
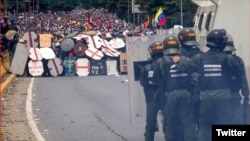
187,36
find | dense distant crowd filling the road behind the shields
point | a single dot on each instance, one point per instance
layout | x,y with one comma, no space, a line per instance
63,23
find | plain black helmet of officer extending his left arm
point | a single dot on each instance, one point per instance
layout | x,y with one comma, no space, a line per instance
217,38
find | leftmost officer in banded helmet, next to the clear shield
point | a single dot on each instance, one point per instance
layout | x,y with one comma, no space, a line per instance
152,107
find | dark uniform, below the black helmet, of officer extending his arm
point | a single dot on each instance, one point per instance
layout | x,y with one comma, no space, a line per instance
215,106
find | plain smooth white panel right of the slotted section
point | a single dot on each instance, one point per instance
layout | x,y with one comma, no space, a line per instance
234,16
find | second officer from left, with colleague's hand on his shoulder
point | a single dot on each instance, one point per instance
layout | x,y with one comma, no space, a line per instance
178,100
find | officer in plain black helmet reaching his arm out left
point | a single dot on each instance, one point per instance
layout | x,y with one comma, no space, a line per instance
216,69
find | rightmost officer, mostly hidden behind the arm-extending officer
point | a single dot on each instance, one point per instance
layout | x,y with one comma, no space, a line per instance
239,84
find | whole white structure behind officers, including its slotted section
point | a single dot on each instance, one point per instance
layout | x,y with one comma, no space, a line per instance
232,15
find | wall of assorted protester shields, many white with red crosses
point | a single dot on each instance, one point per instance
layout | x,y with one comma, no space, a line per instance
89,53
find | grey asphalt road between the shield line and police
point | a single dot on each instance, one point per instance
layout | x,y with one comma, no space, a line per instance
93,108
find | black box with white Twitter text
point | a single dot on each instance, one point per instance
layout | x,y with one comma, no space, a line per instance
233,132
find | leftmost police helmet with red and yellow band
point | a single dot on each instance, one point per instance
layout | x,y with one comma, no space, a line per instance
155,48
